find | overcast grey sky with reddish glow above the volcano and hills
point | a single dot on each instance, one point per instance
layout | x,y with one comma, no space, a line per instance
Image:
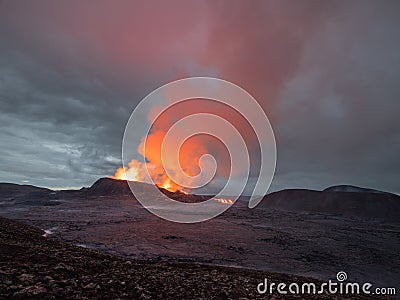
327,73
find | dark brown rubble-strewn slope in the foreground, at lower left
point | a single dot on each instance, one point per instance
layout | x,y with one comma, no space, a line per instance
35,267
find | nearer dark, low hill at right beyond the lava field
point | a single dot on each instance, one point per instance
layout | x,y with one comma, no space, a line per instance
363,205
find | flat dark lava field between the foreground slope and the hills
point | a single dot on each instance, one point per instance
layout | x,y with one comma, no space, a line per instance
297,243
